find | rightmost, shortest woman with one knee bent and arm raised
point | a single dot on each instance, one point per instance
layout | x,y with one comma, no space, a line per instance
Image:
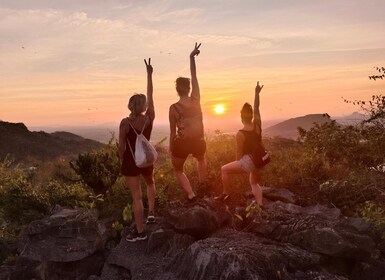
246,139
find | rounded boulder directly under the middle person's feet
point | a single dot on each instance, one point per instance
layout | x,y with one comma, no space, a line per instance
199,219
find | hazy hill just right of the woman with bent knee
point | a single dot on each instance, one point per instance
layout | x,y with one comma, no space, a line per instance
288,128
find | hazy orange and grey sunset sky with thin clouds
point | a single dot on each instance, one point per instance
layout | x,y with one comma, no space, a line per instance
78,62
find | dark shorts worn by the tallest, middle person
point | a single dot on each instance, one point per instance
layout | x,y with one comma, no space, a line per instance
182,148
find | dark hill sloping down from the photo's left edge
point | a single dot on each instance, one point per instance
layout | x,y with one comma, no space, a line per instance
20,143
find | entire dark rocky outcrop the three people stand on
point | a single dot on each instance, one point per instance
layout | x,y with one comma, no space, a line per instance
202,240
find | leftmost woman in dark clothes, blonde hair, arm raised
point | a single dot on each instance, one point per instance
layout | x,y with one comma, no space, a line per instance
141,118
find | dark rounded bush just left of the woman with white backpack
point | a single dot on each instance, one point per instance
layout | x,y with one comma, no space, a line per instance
98,169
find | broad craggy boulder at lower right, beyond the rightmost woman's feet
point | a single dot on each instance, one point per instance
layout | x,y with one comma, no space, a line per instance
318,229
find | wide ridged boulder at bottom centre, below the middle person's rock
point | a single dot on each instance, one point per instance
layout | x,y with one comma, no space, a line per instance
234,255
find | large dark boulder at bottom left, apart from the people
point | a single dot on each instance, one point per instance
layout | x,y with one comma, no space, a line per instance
66,245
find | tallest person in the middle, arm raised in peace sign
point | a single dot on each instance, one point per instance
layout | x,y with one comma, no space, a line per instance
186,128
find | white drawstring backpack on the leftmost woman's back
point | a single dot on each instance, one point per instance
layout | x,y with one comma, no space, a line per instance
145,154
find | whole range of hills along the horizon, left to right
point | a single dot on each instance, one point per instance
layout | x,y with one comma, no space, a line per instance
19,143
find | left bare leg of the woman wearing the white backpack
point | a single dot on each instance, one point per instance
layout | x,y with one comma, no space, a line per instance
133,183
